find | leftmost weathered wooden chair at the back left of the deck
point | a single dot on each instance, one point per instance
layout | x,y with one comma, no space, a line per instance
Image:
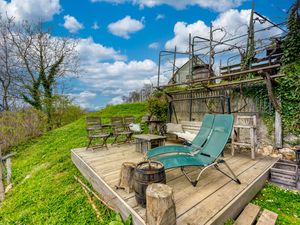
95,130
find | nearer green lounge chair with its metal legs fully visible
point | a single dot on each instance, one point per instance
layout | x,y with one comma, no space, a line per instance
209,154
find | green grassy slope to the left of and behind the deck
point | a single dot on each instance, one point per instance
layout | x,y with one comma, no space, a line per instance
45,191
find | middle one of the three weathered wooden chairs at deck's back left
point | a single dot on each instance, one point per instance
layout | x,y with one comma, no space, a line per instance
119,128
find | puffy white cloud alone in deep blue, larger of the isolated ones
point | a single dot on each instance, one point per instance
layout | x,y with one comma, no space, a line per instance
125,27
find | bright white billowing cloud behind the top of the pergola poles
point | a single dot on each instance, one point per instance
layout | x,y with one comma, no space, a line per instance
233,21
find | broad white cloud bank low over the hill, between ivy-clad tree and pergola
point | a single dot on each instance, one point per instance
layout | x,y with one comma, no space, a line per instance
107,73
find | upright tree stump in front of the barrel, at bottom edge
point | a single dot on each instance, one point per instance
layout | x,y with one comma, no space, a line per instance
160,209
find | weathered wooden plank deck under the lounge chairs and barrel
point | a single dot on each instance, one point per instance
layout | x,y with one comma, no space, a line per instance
215,199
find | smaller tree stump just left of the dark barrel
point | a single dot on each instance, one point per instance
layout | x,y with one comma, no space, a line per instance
126,176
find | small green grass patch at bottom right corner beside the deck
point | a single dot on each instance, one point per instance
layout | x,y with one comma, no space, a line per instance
283,202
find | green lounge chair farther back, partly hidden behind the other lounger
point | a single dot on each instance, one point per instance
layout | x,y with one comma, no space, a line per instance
195,145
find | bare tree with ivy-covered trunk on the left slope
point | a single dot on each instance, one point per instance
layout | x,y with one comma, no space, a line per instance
43,60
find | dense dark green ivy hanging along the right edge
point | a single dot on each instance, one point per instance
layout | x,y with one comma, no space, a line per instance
288,88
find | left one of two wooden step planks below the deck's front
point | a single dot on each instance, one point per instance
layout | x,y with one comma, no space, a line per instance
249,215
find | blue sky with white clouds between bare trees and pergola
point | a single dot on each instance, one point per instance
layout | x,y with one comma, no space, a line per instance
121,54
